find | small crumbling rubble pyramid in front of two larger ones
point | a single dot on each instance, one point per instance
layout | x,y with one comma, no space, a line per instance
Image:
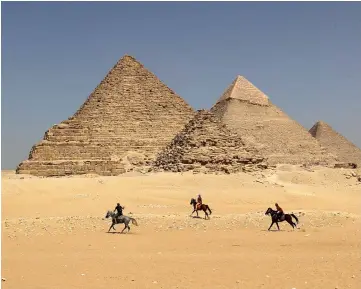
206,145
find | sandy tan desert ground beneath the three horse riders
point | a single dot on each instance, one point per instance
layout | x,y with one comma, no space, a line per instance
54,234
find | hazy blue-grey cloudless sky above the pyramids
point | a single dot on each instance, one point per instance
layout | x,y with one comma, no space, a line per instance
305,56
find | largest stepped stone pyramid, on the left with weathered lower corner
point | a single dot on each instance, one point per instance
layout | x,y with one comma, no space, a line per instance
125,121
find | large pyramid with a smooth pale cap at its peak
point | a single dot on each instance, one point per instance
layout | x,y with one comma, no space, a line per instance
248,111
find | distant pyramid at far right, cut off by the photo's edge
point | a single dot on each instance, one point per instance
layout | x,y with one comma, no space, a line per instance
336,143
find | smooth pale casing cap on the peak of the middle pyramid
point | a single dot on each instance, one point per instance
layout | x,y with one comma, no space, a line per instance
243,90
